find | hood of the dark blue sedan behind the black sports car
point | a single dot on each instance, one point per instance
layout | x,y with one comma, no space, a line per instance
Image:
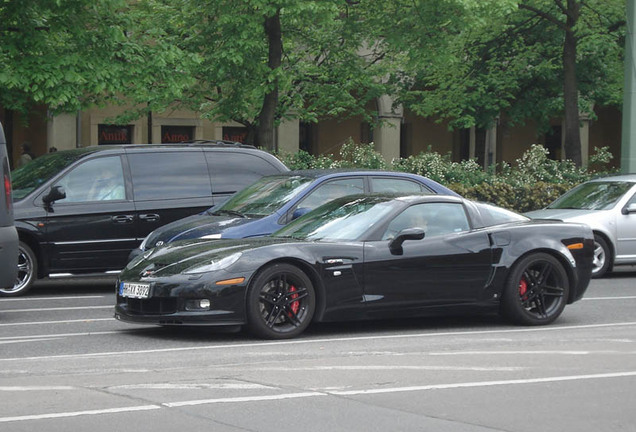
195,226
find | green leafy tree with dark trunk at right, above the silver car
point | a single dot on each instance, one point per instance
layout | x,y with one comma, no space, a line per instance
529,59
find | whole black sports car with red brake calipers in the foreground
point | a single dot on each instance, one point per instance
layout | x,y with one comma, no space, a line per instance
365,257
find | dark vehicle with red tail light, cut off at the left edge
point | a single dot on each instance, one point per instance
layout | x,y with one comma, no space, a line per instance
8,233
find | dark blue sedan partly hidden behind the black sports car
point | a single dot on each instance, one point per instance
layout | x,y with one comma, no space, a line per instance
274,201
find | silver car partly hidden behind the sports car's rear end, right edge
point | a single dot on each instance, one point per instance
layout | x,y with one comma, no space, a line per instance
608,205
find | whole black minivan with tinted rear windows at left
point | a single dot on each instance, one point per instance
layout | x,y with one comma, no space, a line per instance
82,211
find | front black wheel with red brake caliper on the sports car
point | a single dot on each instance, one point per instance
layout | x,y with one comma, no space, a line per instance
280,302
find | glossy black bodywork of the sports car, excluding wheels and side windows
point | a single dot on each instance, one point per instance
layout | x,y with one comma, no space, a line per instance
467,269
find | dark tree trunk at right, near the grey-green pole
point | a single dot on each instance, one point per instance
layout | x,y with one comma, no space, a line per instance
570,87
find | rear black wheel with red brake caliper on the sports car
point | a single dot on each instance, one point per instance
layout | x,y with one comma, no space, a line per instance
536,291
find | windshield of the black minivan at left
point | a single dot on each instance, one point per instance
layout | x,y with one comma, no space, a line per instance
40,170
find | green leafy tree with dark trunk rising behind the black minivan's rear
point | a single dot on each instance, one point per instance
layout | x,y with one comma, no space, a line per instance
258,62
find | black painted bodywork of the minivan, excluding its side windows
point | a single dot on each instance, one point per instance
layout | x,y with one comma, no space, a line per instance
92,237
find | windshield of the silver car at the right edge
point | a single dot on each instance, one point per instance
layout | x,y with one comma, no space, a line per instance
601,195
